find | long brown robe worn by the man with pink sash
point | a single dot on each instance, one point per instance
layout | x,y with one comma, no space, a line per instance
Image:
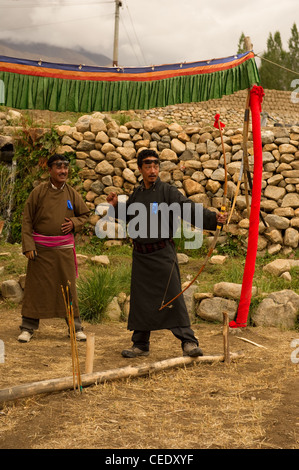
44,213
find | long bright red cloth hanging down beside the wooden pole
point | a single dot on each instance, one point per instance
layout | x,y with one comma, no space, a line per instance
256,98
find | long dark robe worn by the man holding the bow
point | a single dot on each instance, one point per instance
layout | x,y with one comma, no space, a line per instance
151,269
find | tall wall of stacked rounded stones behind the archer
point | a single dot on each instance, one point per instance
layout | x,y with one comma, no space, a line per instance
191,159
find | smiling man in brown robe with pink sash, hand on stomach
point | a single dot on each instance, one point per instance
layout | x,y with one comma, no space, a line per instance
52,213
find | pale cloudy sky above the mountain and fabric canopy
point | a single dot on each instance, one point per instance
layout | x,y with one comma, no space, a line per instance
151,32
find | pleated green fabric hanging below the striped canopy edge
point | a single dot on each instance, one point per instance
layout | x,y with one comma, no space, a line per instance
56,94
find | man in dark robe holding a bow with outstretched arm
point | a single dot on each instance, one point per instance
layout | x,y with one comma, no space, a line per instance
155,263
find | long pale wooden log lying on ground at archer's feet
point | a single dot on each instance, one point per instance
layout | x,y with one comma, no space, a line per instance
66,383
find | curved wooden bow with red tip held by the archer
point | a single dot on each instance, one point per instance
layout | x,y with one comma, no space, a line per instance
218,125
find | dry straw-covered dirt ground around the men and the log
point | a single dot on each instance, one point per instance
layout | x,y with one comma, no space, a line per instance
252,403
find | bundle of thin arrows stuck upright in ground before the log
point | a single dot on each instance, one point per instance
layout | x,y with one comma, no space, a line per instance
67,296
